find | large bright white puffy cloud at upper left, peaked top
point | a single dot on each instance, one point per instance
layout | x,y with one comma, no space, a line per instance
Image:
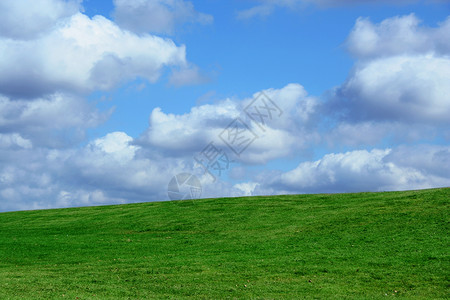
81,55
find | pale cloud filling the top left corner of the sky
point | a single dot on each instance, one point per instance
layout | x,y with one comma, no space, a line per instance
24,19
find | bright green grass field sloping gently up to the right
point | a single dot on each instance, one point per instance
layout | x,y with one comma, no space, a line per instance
354,246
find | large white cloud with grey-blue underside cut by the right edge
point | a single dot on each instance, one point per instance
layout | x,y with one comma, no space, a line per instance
404,88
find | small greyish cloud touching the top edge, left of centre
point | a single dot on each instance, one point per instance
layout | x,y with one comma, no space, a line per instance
157,16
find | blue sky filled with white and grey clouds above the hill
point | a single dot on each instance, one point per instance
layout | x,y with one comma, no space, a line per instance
122,101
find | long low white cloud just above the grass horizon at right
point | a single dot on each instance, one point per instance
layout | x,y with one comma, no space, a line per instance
362,170
